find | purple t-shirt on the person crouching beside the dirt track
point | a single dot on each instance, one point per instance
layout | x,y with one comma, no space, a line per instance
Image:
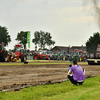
78,74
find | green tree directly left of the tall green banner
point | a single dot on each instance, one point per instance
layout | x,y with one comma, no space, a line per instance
22,38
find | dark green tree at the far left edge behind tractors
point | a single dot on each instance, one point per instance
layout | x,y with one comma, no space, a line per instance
4,36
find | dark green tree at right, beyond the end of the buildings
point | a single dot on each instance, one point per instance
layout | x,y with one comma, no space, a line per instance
92,43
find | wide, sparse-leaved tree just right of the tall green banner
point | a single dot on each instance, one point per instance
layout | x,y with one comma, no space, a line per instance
42,39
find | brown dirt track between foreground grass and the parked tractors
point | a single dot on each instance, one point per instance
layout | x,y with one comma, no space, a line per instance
14,77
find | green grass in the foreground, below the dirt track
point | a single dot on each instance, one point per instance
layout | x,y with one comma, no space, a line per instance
90,90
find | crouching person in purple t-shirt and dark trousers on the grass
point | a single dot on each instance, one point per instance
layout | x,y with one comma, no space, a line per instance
78,75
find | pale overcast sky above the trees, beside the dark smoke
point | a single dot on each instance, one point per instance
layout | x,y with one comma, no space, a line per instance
70,22
